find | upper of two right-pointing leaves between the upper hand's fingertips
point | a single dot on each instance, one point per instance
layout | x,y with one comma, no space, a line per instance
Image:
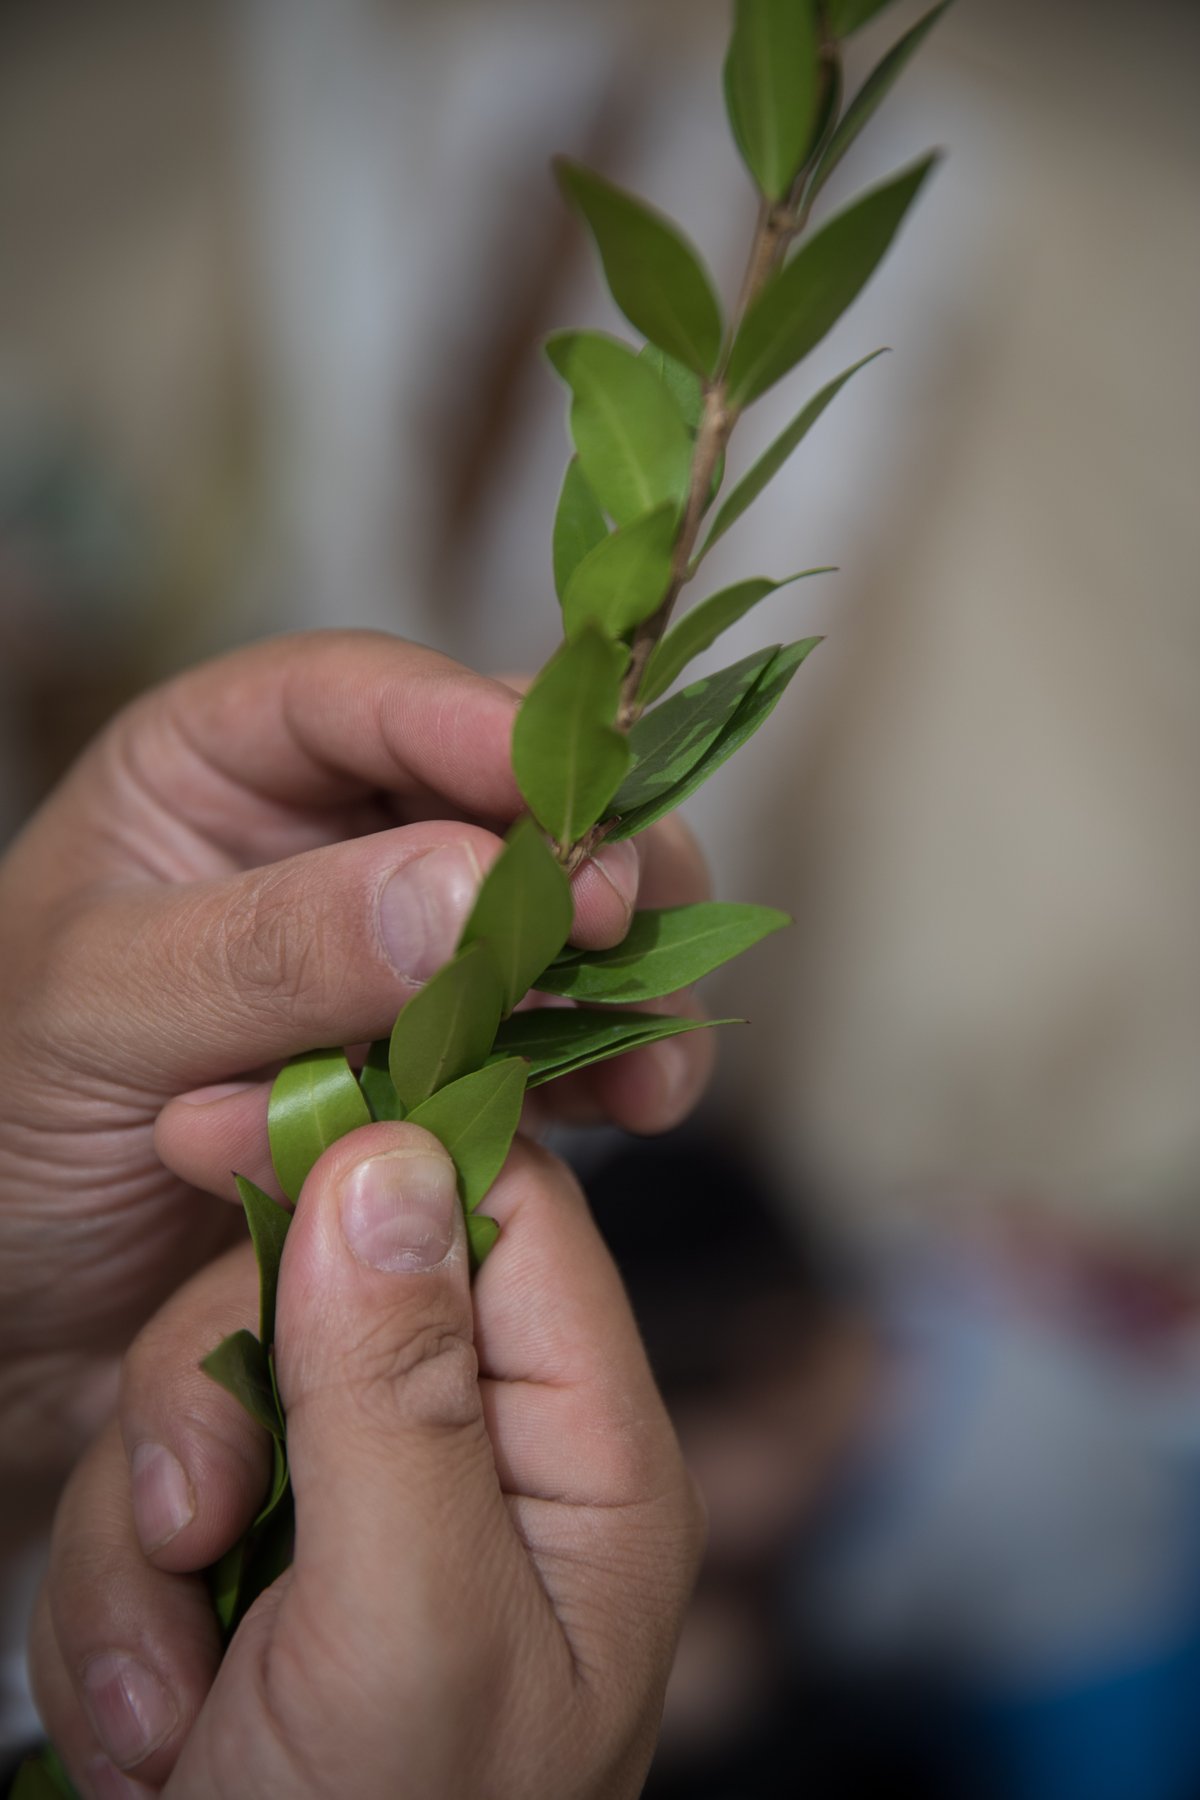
663,953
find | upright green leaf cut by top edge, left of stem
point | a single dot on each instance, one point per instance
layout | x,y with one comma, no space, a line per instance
773,82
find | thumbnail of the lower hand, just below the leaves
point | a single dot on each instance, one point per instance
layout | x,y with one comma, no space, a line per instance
399,1210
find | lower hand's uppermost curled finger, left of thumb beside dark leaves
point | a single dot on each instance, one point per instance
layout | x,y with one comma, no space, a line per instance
199,1464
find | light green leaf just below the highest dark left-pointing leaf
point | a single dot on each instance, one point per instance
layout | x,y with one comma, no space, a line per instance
634,447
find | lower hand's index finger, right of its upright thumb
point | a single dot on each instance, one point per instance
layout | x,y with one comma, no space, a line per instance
584,1448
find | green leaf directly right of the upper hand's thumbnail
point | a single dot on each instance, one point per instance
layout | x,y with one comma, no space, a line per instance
524,910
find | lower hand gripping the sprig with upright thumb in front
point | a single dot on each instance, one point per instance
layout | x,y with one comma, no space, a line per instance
496,1531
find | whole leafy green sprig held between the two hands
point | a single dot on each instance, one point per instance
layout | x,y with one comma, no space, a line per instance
596,750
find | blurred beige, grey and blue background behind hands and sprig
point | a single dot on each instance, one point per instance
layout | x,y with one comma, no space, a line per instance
273,280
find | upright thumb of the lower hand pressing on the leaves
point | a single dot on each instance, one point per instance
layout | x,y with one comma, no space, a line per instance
397,1493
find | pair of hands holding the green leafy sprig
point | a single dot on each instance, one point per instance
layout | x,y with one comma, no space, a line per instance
487,1592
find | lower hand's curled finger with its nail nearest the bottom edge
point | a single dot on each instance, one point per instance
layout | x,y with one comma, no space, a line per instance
130,1651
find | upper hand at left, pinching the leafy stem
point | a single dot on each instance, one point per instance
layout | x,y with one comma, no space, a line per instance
260,858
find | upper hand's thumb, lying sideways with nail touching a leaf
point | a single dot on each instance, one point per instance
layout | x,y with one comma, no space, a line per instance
192,985
